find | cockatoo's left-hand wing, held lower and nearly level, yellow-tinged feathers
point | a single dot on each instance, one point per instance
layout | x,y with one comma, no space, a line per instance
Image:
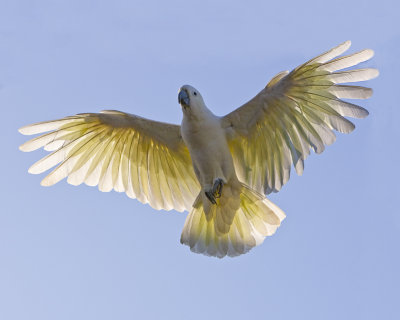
114,150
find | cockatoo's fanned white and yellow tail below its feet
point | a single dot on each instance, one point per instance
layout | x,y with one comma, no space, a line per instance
216,231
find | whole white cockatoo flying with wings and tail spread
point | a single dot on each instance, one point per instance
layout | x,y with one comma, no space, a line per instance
217,168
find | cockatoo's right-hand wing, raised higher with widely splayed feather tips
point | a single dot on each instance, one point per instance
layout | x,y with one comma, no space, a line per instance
294,113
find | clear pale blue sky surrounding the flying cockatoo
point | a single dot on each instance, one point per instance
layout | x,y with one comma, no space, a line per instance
76,253
